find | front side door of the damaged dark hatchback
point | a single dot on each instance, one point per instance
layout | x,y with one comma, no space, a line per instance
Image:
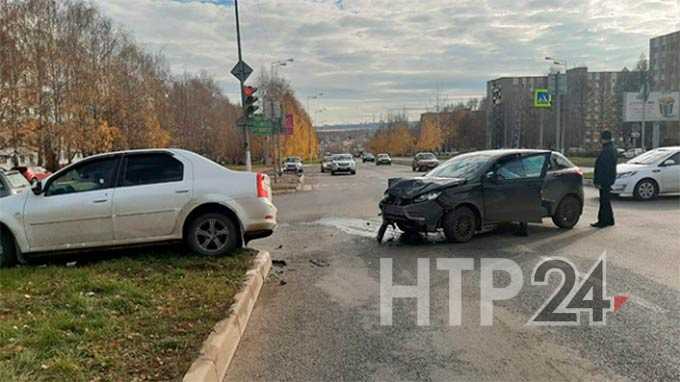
513,188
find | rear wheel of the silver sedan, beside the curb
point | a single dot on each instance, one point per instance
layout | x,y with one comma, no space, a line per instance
212,234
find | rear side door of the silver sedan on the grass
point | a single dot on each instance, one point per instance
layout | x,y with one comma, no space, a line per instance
152,191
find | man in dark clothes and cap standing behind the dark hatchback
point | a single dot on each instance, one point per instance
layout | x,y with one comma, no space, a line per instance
604,178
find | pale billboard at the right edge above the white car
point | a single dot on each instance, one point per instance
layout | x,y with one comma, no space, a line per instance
660,107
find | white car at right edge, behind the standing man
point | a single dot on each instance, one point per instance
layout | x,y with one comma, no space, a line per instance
654,173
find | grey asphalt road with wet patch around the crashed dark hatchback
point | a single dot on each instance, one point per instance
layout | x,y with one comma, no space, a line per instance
318,319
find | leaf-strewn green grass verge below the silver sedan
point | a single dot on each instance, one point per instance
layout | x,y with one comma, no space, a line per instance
118,318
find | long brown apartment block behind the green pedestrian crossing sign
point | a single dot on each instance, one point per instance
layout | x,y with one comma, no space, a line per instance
592,102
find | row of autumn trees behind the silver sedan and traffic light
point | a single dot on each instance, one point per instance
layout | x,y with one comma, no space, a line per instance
73,84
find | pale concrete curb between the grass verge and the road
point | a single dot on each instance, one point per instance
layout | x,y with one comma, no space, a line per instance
219,348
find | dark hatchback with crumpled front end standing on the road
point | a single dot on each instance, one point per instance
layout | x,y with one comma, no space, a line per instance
475,192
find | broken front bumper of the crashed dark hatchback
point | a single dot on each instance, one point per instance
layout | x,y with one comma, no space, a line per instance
425,215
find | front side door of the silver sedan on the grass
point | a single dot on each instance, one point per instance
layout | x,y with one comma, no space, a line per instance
75,209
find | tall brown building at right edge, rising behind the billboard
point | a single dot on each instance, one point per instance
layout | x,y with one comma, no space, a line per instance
664,62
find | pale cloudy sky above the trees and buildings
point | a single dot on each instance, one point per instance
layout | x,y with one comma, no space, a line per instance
370,57
